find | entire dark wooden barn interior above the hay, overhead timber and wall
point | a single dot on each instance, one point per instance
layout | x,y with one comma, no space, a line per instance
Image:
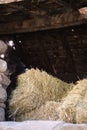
49,35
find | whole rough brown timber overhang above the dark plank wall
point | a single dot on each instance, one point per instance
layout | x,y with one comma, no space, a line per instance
32,15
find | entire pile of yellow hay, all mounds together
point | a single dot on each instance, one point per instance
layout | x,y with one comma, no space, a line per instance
40,96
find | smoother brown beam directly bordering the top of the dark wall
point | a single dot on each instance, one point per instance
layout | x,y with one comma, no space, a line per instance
42,23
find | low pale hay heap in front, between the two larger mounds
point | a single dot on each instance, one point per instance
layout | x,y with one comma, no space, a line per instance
48,111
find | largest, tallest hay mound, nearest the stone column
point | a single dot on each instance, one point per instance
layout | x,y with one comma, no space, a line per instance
34,88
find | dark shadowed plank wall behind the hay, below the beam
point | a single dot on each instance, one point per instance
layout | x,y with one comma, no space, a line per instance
61,52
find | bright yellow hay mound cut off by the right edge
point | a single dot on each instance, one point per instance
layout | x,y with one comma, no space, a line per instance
74,107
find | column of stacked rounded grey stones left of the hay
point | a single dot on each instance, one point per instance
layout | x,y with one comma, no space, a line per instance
4,81
